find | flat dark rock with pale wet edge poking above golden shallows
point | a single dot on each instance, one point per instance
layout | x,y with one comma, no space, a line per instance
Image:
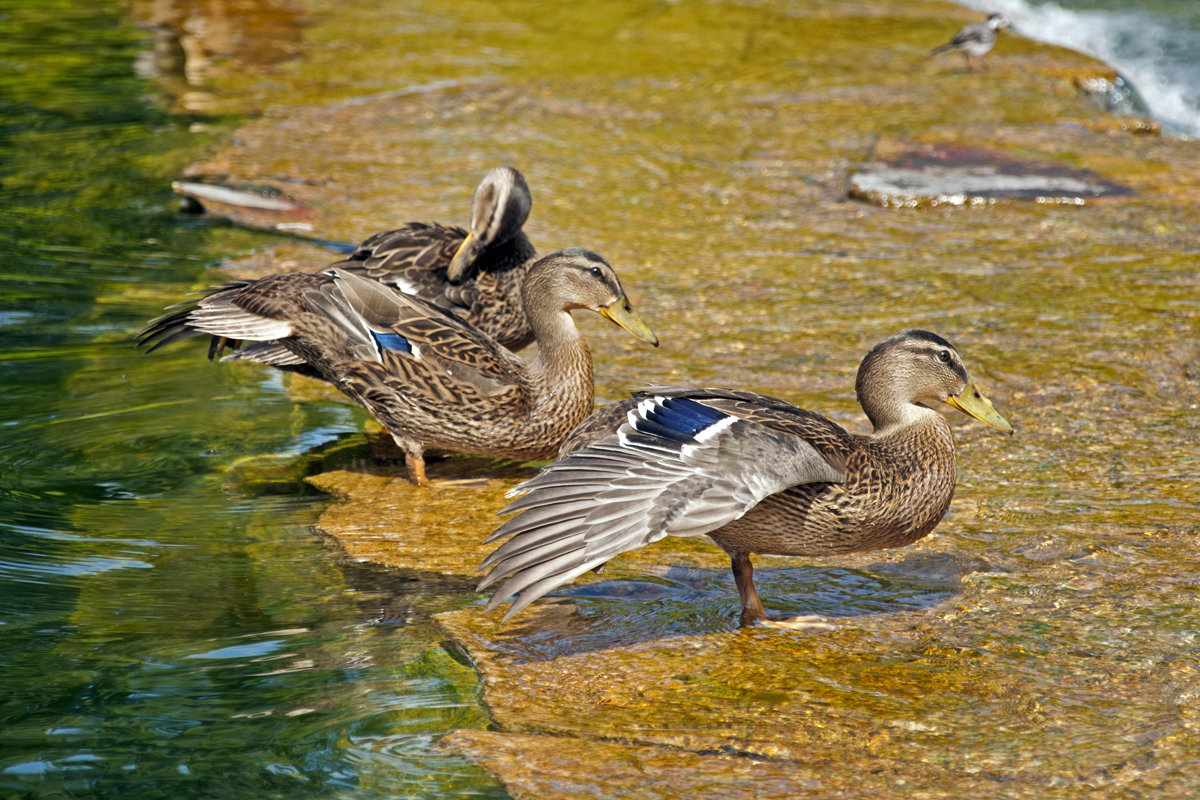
916,175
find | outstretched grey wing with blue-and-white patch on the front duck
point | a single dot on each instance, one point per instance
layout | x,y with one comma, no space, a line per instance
681,464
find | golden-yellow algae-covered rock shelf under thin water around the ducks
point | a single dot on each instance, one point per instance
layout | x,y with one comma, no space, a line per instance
705,148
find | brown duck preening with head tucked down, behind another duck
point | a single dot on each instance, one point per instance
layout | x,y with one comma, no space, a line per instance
475,274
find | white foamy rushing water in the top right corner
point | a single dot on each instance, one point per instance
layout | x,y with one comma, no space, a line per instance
1153,45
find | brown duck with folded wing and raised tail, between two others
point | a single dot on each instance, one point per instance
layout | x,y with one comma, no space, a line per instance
431,380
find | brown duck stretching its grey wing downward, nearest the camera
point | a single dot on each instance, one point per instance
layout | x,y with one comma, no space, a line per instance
753,473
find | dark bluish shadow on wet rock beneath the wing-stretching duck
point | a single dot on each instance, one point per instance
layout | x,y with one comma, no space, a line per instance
688,601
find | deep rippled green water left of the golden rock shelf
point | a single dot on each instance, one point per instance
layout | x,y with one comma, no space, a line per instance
163,631
